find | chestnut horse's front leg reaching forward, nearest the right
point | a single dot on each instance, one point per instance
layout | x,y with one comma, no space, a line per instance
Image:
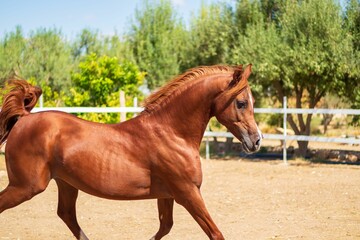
190,197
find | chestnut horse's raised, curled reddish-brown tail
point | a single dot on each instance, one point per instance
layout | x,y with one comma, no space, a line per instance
19,99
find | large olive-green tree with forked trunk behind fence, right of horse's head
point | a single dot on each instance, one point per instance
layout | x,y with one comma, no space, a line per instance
301,55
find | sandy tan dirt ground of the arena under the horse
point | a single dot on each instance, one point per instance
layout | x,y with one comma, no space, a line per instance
247,200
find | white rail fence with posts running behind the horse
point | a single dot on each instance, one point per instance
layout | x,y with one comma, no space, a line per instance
284,137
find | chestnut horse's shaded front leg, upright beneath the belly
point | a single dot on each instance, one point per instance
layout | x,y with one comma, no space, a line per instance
165,208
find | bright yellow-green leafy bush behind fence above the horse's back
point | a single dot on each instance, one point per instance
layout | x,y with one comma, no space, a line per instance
98,81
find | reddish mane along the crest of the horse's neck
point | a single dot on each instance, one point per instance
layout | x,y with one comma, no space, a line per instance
158,97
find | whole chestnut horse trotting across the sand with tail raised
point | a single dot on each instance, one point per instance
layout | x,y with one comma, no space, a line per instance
154,155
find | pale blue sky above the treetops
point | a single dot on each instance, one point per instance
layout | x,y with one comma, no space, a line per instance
71,16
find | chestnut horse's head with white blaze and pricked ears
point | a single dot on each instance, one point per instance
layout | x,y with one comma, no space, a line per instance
234,108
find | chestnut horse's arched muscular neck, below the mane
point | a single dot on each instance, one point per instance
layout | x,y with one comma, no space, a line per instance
189,112
